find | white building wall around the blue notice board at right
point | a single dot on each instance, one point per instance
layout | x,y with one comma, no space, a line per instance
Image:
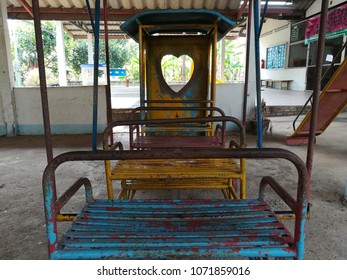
272,37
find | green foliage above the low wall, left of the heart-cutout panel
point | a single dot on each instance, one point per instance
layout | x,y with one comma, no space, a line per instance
23,47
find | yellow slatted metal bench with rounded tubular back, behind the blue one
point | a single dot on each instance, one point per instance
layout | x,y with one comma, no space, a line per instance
176,174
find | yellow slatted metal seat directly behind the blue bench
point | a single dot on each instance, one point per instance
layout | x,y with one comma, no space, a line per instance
161,174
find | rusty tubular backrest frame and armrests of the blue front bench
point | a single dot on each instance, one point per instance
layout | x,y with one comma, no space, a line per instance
52,205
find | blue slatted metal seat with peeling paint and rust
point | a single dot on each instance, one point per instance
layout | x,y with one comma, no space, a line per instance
162,229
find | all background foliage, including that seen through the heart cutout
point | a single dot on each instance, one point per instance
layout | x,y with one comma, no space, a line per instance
123,54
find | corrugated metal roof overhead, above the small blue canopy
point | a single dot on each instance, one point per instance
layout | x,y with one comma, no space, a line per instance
75,16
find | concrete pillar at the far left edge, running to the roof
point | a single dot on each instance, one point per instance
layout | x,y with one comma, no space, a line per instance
7,100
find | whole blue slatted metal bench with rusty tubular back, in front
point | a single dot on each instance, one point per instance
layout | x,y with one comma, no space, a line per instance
179,229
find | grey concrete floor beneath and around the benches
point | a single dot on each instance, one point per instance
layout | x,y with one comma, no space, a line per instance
22,225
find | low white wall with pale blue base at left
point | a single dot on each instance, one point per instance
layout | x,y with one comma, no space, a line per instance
71,110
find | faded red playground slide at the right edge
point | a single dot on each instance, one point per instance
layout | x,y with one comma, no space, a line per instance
332,101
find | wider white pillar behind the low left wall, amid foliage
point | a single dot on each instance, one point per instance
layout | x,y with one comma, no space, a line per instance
60,48
